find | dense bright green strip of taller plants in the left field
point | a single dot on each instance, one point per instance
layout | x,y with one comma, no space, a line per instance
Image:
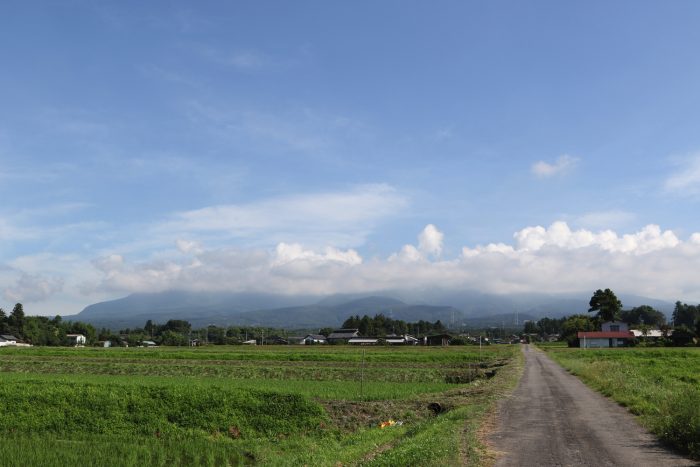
76,408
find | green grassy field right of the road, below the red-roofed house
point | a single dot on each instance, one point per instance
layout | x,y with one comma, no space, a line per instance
661,385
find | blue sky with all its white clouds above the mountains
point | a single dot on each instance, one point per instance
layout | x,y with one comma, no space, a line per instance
324,146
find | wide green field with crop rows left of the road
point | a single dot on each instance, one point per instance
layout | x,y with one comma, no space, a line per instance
272,405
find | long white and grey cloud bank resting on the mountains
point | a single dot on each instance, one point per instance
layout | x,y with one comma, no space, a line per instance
555,259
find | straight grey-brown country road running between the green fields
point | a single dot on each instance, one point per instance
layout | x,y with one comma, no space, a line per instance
553,419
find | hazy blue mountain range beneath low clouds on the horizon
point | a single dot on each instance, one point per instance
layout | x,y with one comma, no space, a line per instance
464,308
